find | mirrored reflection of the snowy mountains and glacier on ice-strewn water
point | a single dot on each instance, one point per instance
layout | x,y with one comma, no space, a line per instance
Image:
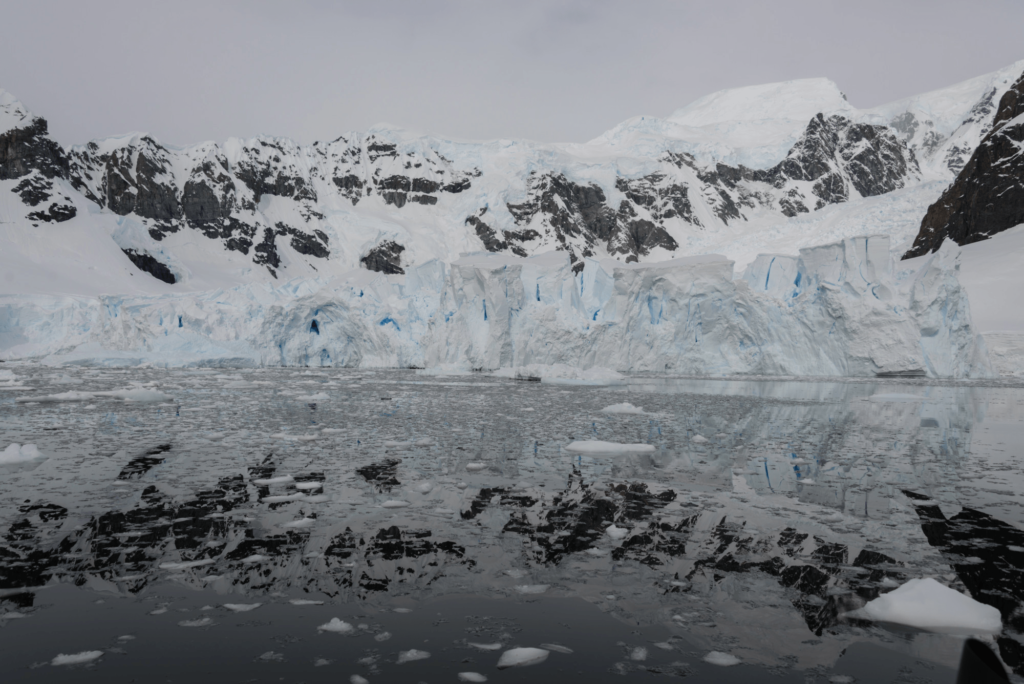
767,511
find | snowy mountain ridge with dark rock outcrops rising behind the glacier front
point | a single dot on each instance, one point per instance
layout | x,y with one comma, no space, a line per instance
729,166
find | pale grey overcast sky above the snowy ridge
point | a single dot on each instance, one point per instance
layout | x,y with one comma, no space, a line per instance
556,71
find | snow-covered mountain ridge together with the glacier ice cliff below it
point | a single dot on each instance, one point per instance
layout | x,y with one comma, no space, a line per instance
355,252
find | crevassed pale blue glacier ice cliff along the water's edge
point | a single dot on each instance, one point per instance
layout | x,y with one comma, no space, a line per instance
839,310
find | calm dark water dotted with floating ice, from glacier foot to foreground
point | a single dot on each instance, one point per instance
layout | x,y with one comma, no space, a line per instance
445,514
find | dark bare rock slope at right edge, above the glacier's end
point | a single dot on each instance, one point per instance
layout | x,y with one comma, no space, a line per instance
988,197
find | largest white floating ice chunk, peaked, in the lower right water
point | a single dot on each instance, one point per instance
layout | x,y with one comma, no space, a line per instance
928,605
